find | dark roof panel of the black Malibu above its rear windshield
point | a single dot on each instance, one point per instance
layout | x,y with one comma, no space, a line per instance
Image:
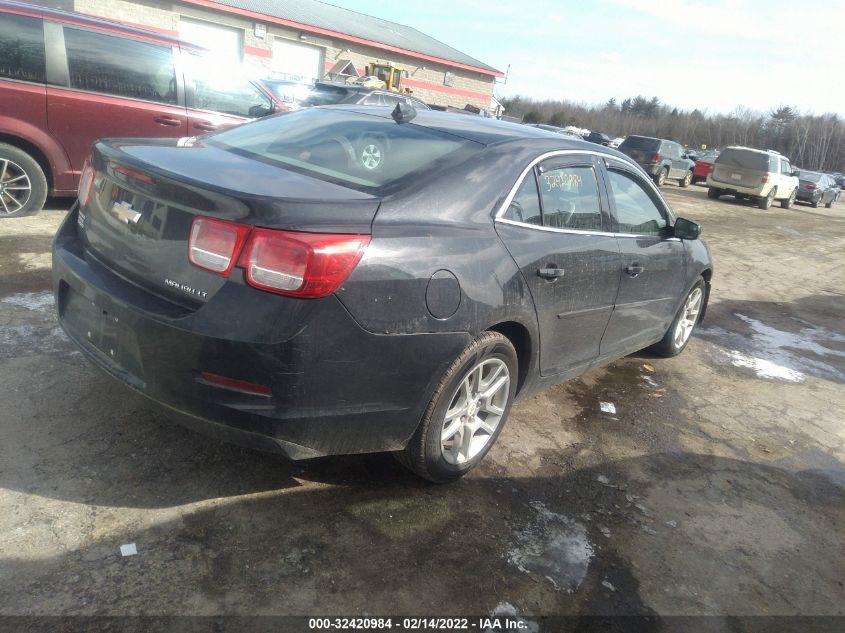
482,130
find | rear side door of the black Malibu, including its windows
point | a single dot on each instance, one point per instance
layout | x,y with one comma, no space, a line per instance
556,230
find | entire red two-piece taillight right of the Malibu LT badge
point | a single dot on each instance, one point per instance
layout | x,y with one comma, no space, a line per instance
307,265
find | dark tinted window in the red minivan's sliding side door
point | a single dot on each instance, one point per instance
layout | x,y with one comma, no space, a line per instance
120,66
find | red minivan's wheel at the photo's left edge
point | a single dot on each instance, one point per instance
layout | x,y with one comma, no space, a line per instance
23,186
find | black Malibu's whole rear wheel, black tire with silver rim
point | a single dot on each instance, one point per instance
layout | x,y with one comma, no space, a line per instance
427,453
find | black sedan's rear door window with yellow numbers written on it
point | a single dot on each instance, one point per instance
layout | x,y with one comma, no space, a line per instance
570,198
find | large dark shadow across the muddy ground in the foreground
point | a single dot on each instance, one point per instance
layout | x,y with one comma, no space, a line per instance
672,532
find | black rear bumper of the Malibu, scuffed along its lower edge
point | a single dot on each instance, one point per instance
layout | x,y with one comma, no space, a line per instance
334,387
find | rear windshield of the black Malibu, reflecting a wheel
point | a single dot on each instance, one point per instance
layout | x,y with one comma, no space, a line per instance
361,151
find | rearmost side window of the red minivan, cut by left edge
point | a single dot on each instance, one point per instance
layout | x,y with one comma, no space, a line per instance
21,48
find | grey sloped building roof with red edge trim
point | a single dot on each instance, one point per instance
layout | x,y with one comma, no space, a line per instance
327,19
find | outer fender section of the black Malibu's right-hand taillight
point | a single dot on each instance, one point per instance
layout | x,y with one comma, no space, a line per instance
307,265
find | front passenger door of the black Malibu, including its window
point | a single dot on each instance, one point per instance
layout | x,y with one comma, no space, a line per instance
653,265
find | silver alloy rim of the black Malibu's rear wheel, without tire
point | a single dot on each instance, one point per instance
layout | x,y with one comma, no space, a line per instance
475,411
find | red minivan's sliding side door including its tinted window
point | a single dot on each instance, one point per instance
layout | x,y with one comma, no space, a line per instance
109,86
